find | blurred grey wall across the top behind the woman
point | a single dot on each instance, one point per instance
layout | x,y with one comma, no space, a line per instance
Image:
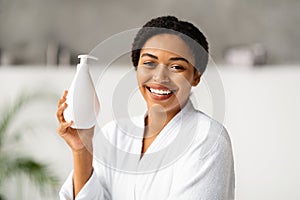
28,26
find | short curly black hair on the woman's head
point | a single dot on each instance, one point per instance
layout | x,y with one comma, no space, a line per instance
193,37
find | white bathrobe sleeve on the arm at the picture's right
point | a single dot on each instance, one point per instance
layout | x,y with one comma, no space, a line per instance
207,173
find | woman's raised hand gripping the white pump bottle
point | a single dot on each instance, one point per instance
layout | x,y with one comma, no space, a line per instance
77,139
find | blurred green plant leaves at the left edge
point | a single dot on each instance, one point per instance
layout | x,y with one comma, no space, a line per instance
14,164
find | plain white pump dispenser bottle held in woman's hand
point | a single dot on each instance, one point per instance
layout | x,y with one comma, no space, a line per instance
83,103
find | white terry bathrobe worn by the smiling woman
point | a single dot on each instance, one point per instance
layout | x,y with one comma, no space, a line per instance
191,159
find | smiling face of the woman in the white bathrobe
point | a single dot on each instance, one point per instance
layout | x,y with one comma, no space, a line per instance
165,72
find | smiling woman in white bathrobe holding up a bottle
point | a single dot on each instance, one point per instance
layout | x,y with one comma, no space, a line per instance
182,153
